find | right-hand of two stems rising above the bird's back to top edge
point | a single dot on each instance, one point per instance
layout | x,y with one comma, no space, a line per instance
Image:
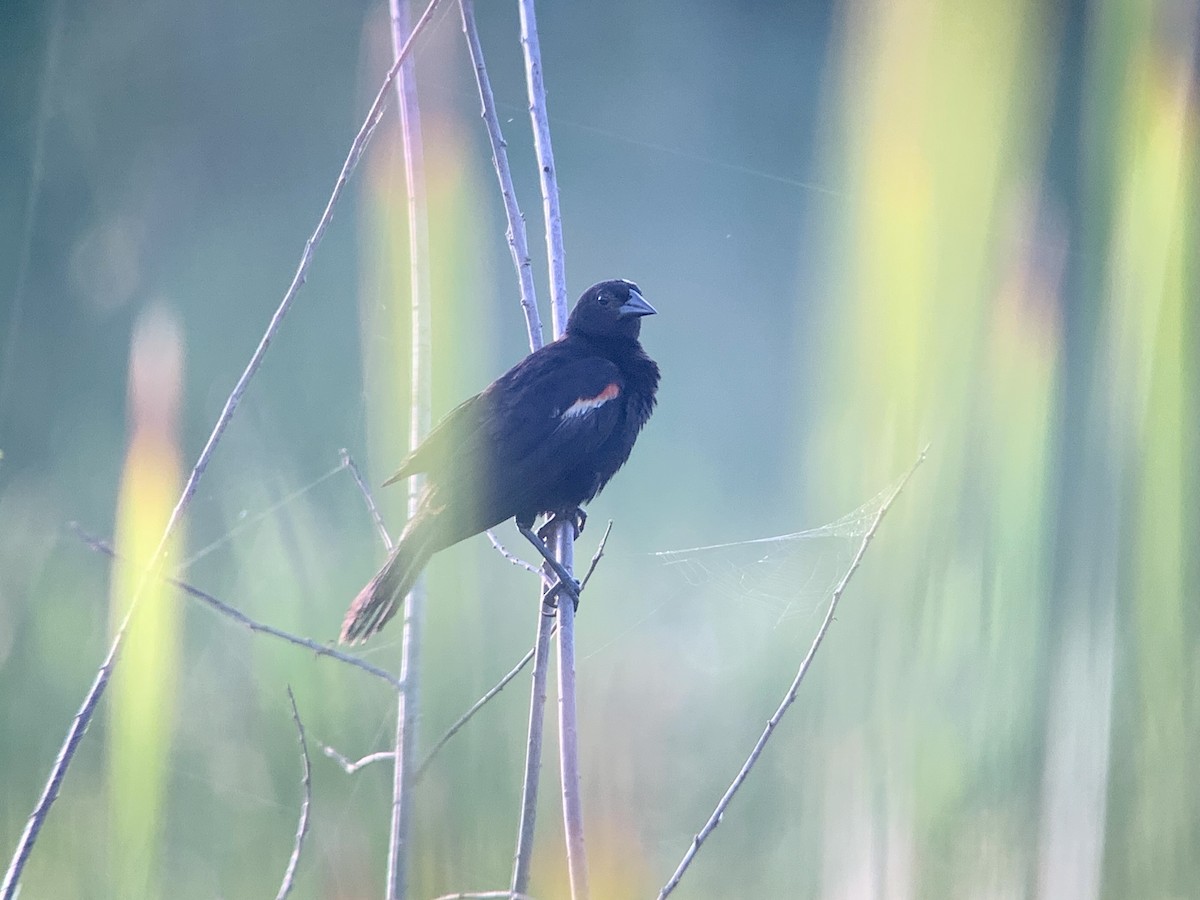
539,118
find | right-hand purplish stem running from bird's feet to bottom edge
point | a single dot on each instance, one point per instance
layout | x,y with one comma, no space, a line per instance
568,727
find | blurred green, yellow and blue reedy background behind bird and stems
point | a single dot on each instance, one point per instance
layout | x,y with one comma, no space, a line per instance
866,226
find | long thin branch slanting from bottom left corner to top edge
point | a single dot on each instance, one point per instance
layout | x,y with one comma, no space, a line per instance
92,699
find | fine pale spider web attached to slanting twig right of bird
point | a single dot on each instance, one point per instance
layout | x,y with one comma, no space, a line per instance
787,575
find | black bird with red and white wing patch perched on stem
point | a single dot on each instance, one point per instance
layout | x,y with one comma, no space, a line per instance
543,439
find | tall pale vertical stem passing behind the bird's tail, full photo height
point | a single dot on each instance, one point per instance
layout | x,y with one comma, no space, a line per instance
419,425
